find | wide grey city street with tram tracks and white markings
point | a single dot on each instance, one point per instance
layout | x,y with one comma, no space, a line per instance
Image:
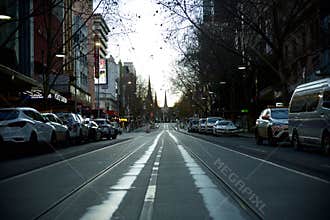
167,174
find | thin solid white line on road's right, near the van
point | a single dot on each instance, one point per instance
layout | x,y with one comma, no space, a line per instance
267,162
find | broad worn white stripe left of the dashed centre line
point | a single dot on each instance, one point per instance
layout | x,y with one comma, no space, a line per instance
117,192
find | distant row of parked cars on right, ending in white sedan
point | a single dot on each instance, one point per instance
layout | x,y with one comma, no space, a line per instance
212,125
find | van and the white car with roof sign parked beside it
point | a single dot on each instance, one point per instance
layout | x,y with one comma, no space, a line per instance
305,123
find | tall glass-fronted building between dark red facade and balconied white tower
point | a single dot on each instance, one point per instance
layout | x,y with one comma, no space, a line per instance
74,82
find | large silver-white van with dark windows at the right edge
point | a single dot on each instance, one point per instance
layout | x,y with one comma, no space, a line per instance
309,115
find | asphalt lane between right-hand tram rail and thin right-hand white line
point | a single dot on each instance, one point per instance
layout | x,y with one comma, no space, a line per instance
283,192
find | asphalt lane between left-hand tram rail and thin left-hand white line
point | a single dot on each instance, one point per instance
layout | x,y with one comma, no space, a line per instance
27,195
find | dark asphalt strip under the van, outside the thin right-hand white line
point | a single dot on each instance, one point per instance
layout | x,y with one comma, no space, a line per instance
310,161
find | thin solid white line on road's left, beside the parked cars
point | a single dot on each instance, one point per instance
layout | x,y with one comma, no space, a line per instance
60,162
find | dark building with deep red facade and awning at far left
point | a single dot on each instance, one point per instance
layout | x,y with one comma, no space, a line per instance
30,42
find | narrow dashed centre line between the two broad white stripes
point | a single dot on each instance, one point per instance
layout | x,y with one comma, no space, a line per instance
149,198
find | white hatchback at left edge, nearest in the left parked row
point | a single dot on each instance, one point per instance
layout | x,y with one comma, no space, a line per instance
25,125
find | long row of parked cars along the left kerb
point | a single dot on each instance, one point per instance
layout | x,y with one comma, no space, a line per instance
27,125
